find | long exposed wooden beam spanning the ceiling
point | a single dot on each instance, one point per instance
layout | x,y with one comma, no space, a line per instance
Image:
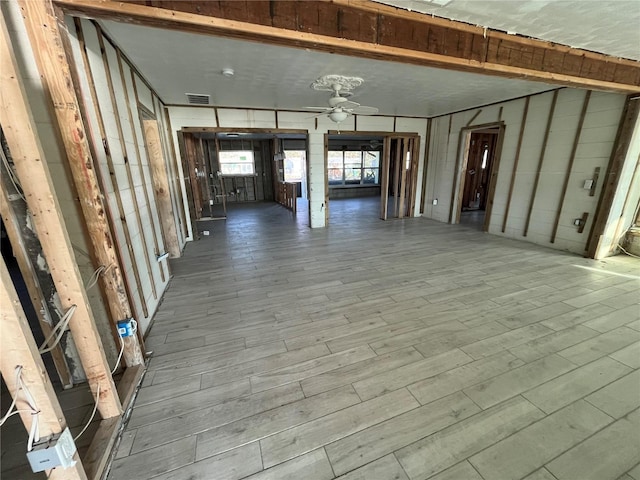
370,30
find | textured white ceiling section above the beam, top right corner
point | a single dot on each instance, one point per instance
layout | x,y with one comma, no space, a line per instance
605,26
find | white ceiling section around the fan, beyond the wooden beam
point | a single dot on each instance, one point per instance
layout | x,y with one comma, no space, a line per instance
268,76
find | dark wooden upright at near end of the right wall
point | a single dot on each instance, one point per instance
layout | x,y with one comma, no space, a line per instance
612,176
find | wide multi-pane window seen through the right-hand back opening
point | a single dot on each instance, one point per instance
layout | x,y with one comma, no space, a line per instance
353,167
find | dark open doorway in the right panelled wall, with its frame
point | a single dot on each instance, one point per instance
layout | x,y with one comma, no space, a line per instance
477,175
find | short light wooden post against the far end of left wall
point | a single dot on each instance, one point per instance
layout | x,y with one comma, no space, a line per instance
161,186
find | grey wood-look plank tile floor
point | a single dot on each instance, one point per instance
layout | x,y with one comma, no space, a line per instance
406,349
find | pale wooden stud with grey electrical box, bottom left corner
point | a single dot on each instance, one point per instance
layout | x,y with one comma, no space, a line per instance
19,348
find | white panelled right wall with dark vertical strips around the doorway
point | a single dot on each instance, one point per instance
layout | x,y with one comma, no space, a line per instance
532,208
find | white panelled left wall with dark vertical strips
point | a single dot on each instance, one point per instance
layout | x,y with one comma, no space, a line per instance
124,166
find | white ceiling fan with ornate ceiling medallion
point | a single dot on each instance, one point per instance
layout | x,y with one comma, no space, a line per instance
340,107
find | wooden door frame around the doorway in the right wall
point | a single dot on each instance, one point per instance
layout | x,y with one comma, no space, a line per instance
462,153
